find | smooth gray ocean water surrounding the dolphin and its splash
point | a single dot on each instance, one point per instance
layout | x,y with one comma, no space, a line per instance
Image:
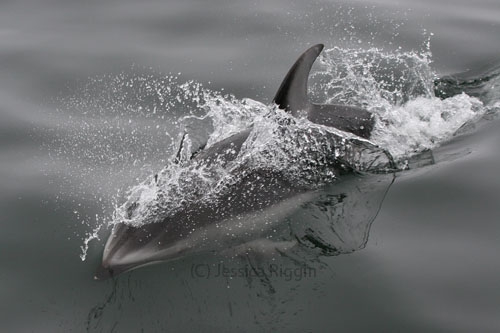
429,263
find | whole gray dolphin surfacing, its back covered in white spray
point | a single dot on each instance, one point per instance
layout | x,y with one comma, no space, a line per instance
230,193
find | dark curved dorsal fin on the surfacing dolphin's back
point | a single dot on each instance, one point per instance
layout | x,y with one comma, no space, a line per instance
292,94
